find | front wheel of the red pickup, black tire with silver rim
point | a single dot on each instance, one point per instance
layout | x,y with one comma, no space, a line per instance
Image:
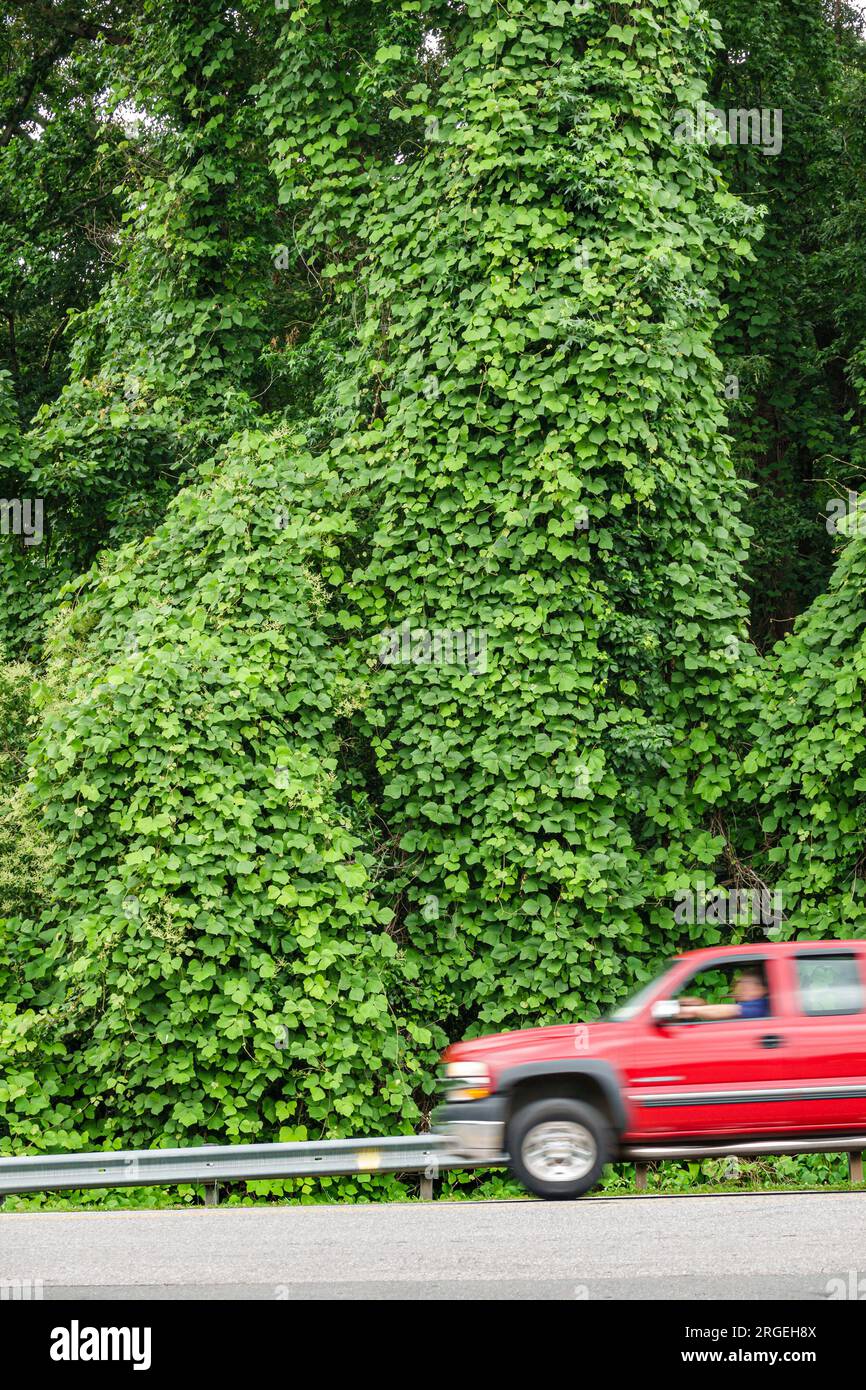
529,1167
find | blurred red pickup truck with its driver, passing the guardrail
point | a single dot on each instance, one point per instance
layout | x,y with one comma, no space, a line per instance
680,1071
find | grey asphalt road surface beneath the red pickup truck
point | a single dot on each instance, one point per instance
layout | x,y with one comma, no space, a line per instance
696,1248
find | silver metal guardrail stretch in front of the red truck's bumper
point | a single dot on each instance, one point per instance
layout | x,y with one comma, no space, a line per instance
216,1166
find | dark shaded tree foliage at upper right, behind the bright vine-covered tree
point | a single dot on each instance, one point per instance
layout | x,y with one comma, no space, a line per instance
797,316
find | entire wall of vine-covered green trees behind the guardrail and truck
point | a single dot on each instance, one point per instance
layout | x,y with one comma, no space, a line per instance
411,323
